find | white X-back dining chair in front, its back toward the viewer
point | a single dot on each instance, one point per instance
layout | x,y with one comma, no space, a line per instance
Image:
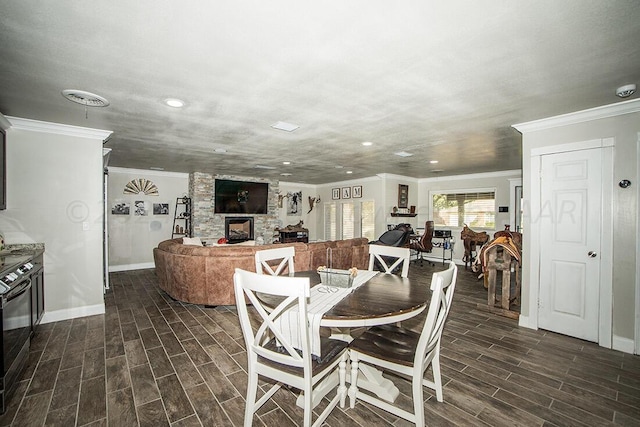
270,353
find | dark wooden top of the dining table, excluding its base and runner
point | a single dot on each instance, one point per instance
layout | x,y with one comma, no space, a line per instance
386,298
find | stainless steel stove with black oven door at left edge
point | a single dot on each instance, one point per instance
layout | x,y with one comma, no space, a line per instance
16,315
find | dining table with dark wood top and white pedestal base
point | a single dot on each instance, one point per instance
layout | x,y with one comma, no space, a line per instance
382,299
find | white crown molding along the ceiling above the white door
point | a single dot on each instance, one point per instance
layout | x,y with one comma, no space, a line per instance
611,110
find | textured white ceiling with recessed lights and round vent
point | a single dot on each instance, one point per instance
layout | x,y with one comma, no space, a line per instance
441,81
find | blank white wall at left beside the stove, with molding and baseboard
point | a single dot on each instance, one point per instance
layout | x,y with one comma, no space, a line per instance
54,196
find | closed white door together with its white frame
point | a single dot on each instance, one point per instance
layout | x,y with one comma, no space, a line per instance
571,219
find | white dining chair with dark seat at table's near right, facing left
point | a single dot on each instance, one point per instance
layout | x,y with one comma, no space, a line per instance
407,352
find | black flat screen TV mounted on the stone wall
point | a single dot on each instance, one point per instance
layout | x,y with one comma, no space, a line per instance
240,197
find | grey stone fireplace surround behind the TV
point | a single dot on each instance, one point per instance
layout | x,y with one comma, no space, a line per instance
211,226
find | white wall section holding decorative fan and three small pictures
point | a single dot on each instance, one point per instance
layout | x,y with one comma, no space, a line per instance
133,237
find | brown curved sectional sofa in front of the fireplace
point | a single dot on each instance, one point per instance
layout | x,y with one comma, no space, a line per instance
204,275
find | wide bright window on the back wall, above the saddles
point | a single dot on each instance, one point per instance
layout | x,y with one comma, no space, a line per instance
476,209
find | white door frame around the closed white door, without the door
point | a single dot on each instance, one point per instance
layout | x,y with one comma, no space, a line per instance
605,322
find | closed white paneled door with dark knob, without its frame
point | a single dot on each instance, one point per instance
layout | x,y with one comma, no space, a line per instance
570,229
